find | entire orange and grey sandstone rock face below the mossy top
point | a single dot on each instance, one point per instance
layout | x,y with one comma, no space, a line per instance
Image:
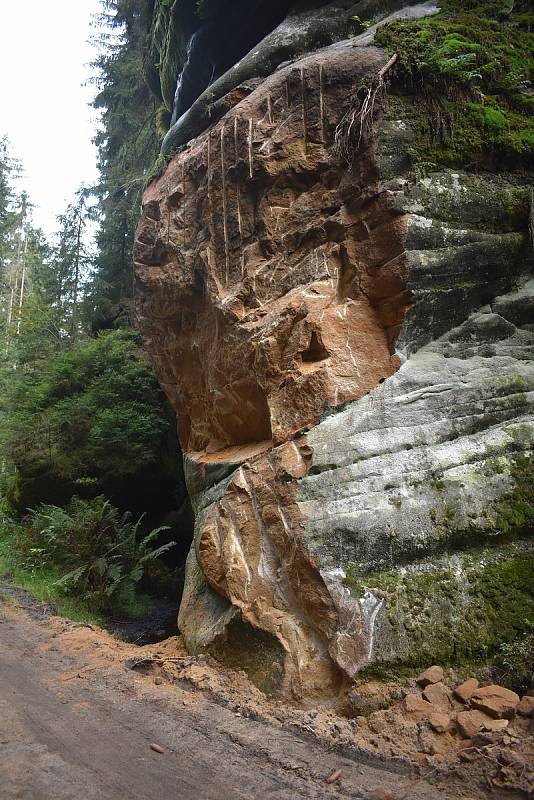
350,361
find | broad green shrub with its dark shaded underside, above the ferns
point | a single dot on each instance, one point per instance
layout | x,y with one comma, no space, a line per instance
87,420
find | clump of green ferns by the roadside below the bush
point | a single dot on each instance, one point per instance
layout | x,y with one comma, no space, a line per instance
98,551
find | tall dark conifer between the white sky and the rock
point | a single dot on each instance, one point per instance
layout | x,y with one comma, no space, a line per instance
127,144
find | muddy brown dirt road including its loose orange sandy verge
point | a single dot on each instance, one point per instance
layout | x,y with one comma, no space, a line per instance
79,711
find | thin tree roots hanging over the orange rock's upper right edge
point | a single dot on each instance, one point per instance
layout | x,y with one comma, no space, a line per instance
356,126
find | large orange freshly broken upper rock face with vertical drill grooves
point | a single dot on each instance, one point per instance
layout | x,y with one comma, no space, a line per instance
271,281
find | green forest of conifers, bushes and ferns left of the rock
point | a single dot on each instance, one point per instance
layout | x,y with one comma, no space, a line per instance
89,456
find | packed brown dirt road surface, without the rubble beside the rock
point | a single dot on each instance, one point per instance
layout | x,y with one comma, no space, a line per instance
75,723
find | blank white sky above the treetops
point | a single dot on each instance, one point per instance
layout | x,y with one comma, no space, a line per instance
44,95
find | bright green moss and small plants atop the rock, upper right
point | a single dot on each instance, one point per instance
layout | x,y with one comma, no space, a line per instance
471,70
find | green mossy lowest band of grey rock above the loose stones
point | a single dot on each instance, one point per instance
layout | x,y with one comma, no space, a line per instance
452,610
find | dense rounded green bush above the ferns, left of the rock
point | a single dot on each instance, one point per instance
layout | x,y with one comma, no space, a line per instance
83,414
